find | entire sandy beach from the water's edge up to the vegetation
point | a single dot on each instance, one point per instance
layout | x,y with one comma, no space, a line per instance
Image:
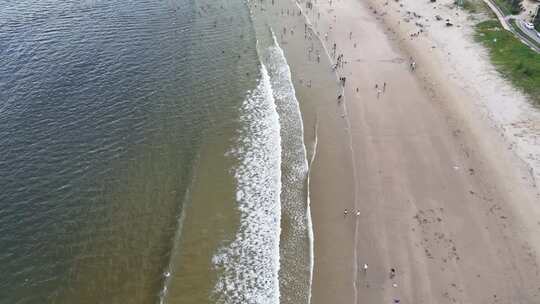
433,178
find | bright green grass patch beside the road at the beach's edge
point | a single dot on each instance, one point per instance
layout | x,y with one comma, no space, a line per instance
514,60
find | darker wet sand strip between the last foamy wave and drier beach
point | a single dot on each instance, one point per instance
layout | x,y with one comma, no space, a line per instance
316,90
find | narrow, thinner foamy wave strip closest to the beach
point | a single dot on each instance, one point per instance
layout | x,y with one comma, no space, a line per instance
295,194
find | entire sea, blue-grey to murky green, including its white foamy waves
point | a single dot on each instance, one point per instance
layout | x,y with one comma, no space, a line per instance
152,152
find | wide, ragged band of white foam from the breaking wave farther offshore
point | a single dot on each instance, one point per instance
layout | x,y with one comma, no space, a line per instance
249,265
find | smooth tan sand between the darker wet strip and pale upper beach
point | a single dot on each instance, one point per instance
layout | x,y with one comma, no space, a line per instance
442,199
